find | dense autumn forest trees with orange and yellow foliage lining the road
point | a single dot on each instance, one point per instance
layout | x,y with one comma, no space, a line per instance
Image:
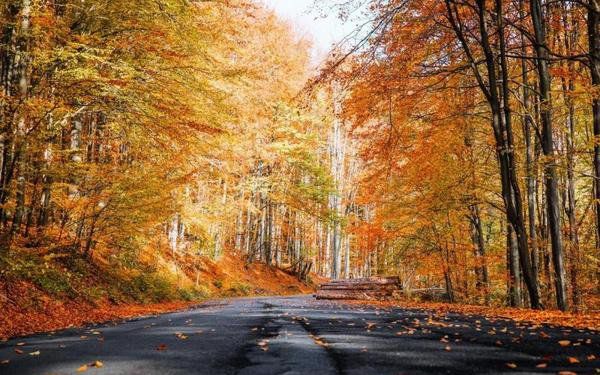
453,143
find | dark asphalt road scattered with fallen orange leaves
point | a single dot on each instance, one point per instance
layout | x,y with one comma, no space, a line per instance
297,335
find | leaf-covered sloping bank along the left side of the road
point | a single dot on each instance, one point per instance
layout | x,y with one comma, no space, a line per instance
33,304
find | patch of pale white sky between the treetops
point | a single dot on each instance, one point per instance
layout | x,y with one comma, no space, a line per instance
324,32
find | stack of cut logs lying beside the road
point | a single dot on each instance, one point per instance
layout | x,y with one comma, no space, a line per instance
372,288
